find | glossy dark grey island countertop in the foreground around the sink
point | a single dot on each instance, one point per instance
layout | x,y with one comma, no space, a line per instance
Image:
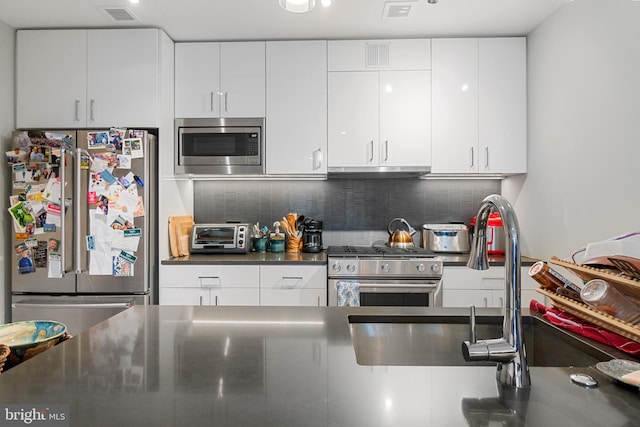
285,366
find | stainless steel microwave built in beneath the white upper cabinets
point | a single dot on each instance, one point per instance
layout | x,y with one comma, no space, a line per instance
220,146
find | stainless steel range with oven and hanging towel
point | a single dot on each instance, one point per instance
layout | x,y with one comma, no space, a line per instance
386,276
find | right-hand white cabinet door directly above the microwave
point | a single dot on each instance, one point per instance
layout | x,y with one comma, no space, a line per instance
242,79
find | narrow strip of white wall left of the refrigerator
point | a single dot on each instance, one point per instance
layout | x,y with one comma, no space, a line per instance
7,43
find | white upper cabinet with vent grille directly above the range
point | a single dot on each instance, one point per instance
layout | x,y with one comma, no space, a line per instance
379,105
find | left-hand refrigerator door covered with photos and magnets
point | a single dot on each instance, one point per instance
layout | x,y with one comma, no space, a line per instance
42,274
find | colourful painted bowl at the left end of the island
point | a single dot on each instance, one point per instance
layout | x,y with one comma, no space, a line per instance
27,339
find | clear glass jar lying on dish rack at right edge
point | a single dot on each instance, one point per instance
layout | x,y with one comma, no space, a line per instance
599,294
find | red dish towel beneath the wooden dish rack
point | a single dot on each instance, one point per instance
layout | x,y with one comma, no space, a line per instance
579,326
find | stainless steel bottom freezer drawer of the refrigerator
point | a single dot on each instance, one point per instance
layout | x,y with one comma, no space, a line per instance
78,313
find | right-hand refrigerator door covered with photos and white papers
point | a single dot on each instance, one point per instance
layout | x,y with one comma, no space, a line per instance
100,269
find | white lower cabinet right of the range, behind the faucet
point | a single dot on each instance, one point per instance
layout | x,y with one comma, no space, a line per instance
463,287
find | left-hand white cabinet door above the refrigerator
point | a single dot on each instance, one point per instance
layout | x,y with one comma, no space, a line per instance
51,78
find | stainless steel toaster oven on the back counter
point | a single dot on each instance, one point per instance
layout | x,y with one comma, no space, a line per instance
220,238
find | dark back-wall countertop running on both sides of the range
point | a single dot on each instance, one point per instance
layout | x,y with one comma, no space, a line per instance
305,258
